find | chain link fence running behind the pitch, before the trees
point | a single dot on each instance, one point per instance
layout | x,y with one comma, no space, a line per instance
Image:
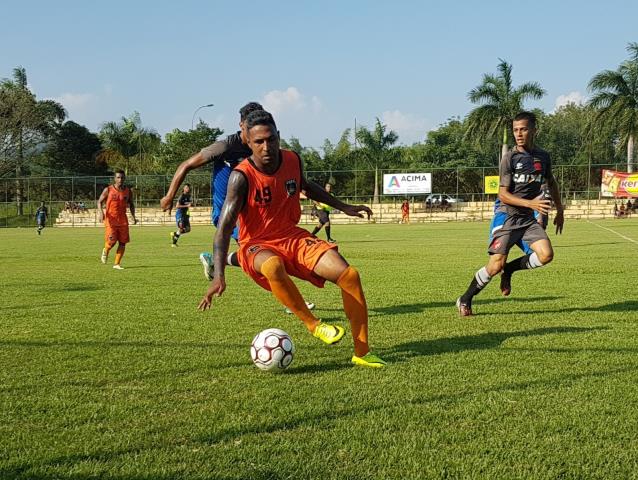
20,197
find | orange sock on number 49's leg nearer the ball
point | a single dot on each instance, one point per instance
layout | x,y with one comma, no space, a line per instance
286,291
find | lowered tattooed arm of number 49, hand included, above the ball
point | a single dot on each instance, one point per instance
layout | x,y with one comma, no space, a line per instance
235,200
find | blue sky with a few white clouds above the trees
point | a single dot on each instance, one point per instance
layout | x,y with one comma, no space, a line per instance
316,65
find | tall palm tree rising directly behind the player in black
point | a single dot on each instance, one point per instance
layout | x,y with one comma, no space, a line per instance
500,104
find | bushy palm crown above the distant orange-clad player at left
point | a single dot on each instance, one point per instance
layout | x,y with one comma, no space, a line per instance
130,146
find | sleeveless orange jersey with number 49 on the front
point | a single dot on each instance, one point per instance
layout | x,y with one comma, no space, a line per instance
272,208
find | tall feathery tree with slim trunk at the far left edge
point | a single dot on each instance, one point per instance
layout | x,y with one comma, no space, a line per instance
25,125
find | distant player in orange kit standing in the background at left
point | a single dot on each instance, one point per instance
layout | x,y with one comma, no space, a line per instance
117,197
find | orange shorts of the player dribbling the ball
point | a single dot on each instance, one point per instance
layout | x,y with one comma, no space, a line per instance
300,252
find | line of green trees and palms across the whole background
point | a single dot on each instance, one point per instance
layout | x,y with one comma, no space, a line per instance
37,139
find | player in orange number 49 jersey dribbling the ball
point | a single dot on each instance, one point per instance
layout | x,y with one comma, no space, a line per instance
263,194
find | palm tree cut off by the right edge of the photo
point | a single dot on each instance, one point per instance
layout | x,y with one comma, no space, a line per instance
616,99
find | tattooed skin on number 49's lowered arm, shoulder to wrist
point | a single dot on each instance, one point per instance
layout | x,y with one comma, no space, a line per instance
235,200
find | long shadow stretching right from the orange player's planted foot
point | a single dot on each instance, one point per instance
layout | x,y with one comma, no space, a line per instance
483,341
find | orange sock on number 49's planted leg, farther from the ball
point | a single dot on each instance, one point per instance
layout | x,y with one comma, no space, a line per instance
354,304
